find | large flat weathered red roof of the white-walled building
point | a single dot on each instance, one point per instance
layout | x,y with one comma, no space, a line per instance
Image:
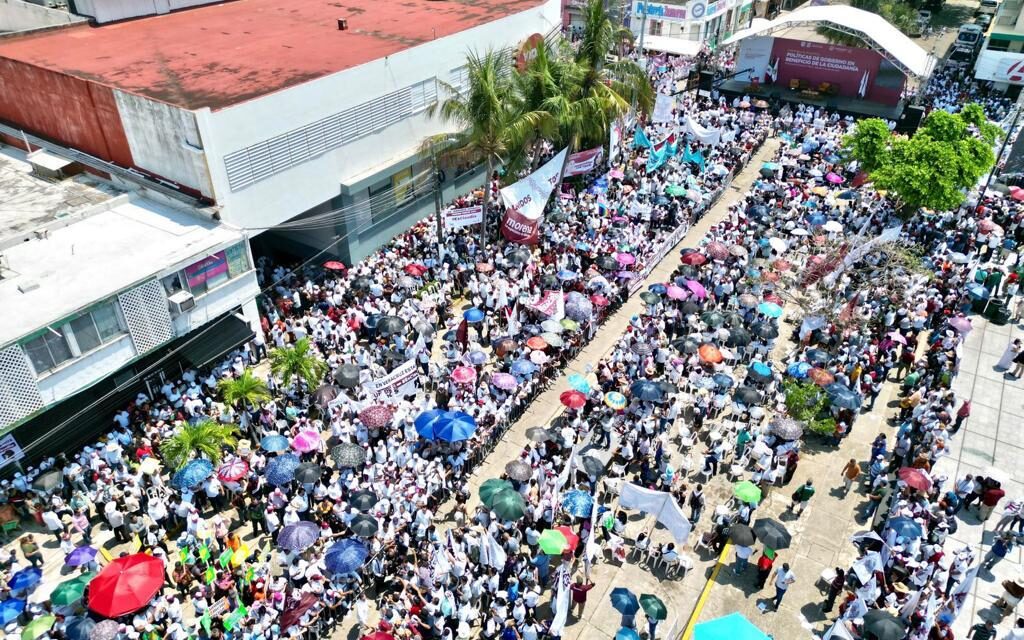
224,55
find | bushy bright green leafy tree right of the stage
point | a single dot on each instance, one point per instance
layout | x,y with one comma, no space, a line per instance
936,167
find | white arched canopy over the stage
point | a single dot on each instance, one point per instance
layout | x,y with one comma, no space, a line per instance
872,28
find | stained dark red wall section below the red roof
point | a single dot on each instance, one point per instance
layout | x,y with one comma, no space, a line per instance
70,111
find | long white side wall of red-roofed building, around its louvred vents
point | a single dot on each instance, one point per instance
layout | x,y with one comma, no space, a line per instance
295,190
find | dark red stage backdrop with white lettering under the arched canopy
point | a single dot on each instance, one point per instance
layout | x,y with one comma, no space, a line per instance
816,63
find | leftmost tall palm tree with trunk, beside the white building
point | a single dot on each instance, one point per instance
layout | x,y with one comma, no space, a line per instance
492,126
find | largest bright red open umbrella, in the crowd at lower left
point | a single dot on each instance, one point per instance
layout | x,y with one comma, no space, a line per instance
126,585
